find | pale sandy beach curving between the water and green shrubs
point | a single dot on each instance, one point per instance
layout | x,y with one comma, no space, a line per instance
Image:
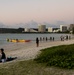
26,51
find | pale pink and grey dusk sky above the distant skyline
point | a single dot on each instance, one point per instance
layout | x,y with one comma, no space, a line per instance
26,12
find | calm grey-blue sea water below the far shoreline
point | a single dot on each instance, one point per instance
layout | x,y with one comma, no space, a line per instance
32,37
